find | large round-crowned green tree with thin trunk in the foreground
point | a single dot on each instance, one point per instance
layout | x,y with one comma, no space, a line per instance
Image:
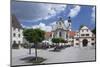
34,36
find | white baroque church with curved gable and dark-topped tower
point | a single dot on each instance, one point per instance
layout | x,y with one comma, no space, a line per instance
60,30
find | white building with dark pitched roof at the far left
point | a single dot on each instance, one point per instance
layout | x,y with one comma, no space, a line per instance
16,31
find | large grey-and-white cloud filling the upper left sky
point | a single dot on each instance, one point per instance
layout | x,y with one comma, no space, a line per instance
36,11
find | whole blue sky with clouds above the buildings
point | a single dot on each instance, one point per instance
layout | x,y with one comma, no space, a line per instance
45,15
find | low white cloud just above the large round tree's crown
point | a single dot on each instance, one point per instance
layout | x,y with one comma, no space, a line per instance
42,26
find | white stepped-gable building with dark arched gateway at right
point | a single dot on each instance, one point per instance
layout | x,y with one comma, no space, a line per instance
84,37
